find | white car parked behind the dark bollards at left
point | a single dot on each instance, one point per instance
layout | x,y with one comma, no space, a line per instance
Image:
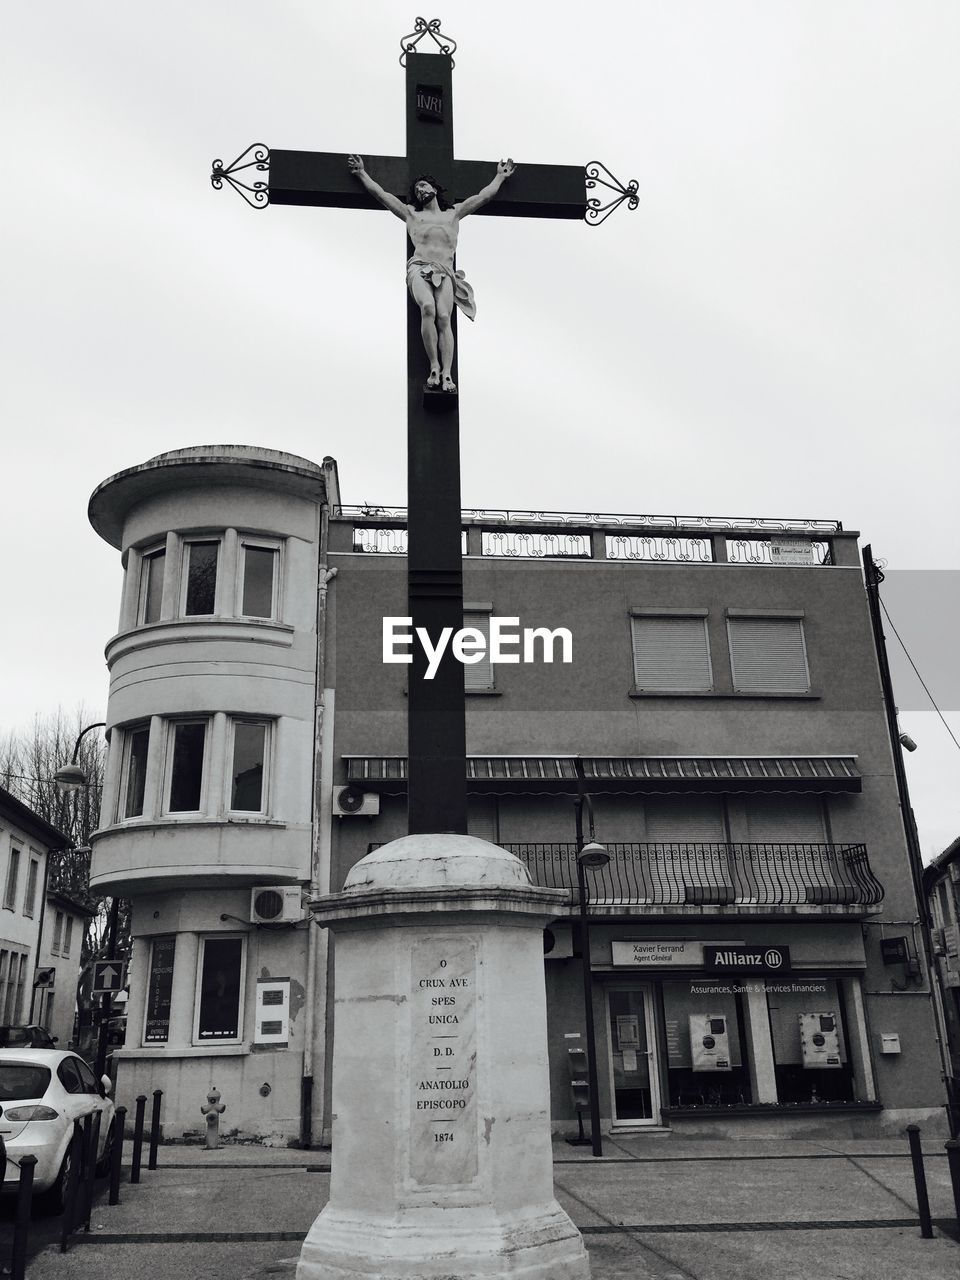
43,1091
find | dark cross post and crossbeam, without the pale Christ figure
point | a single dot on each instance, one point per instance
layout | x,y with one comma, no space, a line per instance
437,721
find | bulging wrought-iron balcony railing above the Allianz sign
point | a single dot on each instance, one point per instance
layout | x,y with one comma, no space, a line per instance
721,875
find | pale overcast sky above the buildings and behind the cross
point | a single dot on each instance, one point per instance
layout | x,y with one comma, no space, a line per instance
772,333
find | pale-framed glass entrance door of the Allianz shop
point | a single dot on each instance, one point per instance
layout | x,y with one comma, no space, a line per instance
634,1078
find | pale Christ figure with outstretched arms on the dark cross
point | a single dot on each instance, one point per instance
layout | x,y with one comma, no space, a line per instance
435,285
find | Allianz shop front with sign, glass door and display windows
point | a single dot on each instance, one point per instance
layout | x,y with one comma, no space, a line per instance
765,1023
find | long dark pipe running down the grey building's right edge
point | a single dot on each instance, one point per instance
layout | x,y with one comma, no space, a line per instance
874,577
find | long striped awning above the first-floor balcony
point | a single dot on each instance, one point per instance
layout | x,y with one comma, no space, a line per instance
624,775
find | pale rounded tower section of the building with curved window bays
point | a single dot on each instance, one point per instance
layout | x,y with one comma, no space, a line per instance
209,792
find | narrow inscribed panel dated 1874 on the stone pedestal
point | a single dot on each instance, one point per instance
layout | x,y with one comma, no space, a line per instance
444,1132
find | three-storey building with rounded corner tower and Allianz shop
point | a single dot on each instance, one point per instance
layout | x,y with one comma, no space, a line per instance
723,711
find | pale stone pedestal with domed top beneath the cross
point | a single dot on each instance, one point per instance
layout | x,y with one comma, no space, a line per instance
442,1165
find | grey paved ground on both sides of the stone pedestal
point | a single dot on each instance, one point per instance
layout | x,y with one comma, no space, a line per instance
671,1209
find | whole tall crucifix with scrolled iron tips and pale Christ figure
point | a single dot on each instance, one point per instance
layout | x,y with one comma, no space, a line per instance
437,721
